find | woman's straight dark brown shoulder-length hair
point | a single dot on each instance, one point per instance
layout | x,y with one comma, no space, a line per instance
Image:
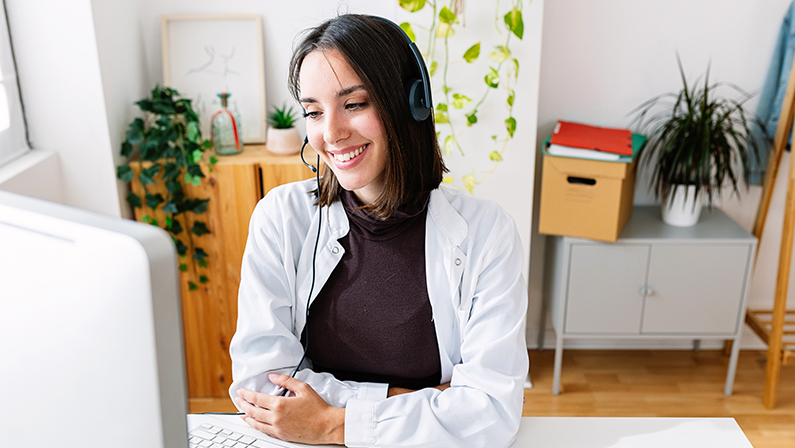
380,56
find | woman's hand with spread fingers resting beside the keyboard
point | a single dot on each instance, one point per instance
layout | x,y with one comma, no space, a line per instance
304,418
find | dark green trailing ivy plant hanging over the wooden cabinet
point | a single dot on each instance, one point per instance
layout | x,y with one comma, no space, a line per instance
169,138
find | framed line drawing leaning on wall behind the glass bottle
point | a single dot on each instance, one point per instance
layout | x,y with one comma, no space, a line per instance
204,55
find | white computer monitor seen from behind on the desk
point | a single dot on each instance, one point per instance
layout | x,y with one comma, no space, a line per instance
90,330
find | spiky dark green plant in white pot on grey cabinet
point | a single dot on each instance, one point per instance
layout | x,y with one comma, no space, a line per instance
698,140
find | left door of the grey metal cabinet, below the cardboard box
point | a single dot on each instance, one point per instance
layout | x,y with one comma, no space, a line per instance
604,288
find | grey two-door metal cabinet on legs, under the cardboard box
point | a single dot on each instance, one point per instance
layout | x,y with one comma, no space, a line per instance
656,282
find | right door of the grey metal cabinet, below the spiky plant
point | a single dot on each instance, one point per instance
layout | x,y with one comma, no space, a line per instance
697,289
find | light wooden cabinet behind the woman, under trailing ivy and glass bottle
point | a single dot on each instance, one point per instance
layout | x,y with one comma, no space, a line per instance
234,187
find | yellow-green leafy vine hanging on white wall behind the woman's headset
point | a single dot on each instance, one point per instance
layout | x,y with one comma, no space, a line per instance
455,106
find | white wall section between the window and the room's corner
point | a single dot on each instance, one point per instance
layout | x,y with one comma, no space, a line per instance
56,53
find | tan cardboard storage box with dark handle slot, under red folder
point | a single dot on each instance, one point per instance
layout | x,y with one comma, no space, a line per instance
586,198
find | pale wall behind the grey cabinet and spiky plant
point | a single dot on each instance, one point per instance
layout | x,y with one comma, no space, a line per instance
602,59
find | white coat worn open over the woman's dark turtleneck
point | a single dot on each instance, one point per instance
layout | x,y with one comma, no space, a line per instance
479,301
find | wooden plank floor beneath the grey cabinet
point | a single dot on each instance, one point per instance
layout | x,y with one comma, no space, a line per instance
650,383
